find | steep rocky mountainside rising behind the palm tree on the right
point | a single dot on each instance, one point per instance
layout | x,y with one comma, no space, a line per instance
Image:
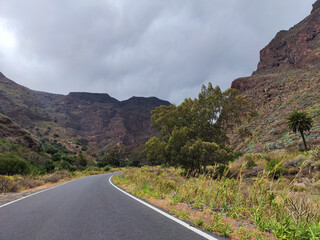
287,79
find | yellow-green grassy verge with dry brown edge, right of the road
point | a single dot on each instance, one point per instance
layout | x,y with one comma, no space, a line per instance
268,203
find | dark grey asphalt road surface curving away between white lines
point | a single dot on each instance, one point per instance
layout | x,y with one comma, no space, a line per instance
88,208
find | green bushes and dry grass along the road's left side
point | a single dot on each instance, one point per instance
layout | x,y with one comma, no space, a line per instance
23,169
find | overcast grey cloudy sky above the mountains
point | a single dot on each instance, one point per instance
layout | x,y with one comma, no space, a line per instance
162,48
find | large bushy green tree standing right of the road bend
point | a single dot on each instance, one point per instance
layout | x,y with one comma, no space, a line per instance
194,134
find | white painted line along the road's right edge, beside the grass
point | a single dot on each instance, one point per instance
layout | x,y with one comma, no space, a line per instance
196,230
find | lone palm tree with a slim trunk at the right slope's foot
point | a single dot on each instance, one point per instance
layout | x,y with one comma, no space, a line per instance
300,121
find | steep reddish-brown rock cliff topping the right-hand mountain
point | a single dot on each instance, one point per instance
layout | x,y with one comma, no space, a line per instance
296,48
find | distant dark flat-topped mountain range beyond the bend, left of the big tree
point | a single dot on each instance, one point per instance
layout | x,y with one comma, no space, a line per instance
97,120
